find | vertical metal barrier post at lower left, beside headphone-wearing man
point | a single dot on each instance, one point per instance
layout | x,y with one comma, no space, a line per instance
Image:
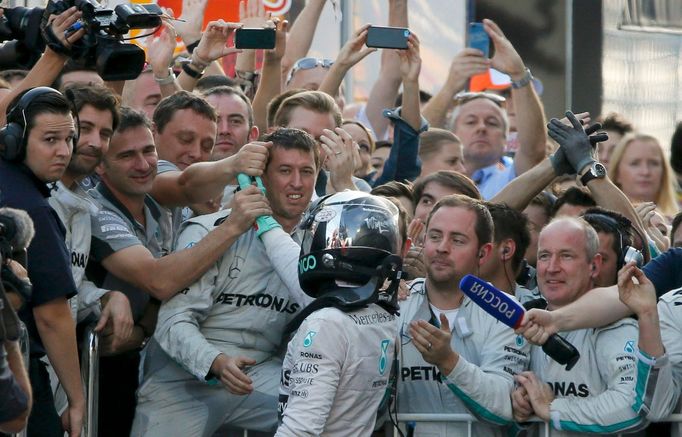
90,373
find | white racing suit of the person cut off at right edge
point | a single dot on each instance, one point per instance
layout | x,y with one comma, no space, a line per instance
659,381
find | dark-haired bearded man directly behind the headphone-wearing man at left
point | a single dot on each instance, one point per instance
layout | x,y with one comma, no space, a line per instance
97,119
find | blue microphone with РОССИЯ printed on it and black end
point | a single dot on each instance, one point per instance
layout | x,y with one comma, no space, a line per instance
502,307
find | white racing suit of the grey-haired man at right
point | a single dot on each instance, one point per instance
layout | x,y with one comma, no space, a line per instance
595,396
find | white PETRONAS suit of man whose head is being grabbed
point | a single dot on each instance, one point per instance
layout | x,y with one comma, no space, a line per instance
240,306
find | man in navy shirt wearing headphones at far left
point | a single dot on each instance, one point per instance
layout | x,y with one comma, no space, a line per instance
37,144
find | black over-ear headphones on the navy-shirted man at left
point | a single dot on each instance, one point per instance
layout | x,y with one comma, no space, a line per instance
13,135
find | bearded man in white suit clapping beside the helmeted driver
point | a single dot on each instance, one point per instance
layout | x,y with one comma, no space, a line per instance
472,358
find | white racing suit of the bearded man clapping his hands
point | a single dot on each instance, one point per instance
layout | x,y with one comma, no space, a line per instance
490,354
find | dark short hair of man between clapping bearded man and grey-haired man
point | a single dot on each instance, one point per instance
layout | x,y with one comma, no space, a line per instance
513,225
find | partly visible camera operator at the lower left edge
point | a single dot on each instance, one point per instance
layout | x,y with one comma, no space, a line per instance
15,389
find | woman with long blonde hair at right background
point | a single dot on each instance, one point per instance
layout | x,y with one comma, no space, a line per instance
640,169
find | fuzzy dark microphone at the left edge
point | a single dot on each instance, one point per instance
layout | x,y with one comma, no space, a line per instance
16,233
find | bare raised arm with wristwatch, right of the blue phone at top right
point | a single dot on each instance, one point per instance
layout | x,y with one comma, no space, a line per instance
530,117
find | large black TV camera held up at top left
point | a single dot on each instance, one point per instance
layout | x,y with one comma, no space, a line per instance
102,45
